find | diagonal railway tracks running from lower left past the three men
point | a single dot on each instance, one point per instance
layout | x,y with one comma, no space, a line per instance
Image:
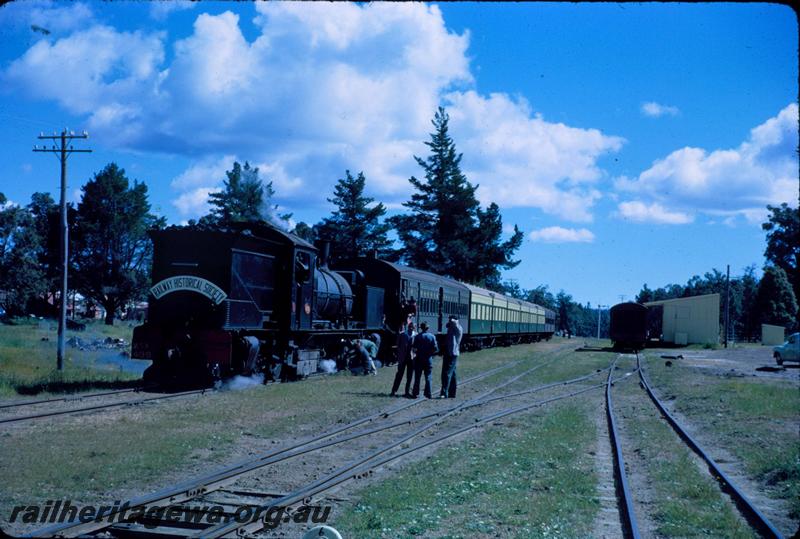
221,480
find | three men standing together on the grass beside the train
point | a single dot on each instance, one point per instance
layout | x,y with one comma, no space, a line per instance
415,353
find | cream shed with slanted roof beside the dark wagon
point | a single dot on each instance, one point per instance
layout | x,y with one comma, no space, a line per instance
692,320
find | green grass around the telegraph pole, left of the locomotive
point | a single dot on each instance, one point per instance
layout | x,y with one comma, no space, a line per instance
28,359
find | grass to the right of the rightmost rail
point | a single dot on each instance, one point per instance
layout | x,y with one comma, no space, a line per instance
753,418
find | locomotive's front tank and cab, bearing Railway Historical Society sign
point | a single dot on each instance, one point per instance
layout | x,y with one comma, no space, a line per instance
212,290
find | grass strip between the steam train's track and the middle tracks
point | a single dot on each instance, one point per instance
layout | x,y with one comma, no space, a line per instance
141,449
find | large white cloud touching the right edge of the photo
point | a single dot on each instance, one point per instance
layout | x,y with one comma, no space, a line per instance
730,183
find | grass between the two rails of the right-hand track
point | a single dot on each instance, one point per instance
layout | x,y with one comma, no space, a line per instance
688,502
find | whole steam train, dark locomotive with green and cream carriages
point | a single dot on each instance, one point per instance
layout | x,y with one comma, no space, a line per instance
254,298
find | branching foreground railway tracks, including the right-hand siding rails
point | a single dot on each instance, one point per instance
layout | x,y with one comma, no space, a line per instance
219,487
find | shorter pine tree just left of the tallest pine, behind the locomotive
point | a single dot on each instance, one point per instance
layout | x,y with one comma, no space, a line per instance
354,229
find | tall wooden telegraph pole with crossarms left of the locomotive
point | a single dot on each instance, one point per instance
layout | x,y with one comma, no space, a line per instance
62,152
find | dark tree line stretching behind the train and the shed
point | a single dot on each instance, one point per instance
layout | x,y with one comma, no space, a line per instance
443,230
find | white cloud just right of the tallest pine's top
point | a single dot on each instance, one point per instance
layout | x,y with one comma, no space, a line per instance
519,159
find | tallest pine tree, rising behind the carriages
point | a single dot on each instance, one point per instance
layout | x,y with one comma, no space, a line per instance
445,230
